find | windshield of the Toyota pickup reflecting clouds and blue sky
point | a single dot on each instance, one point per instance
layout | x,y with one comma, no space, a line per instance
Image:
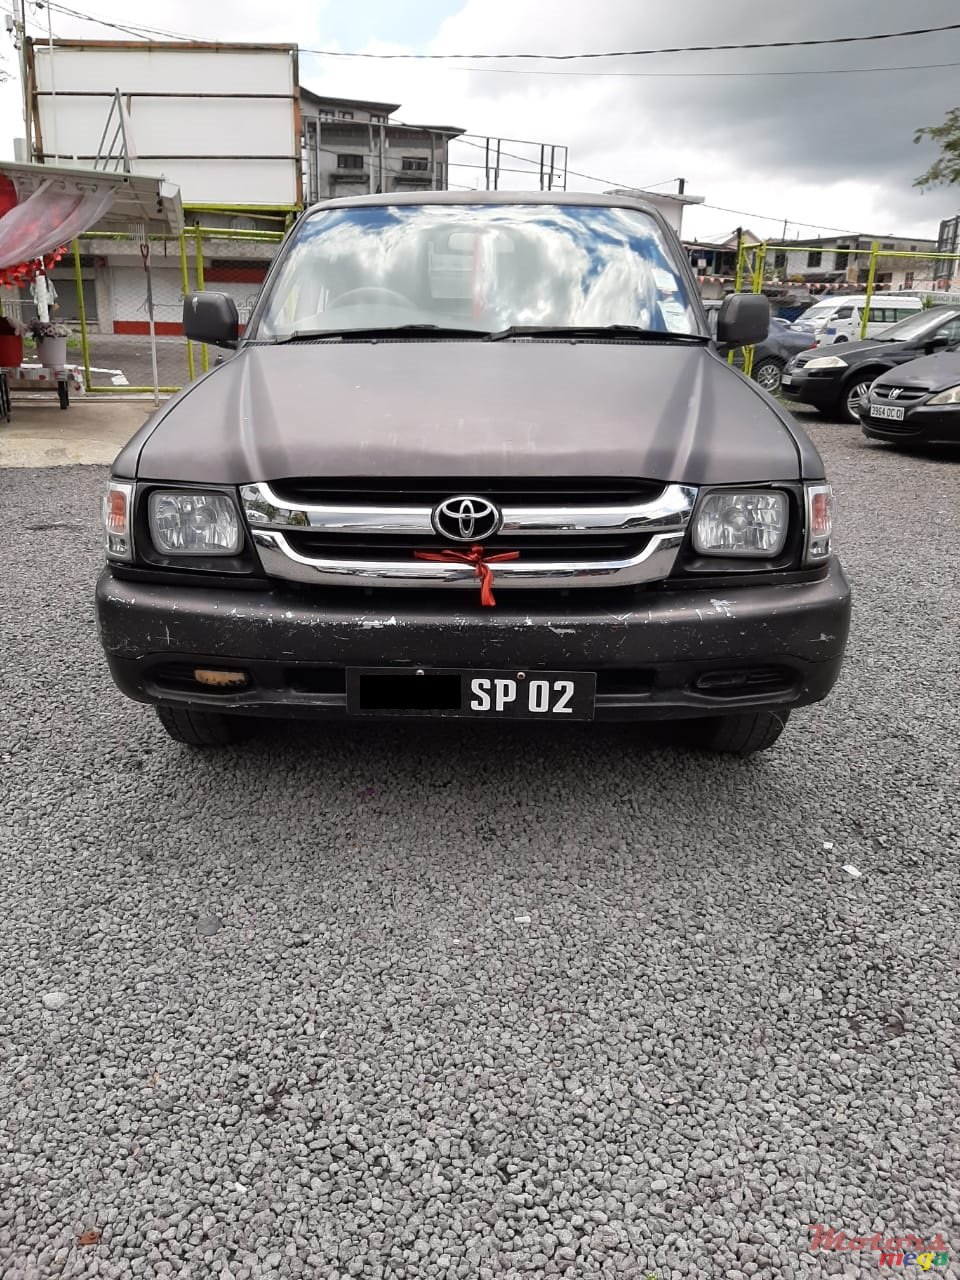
483,268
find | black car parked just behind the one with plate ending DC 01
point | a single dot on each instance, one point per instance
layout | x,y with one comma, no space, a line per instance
836,382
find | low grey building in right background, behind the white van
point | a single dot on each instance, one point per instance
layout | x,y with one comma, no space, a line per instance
847,260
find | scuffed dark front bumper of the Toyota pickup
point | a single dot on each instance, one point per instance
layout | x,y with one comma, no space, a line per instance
668,653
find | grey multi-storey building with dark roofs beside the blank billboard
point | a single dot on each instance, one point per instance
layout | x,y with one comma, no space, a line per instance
351,147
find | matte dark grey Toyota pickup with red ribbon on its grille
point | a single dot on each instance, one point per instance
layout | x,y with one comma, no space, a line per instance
474,458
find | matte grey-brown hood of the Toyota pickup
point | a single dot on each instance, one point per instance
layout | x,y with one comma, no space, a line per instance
472,410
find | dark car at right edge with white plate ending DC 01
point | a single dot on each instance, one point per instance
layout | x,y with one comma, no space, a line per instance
918,403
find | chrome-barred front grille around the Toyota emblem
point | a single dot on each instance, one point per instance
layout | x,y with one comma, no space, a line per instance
568,534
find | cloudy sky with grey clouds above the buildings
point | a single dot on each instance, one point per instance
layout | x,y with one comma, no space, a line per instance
834,152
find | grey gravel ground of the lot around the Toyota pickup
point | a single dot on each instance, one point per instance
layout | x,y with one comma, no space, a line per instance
465,1003
